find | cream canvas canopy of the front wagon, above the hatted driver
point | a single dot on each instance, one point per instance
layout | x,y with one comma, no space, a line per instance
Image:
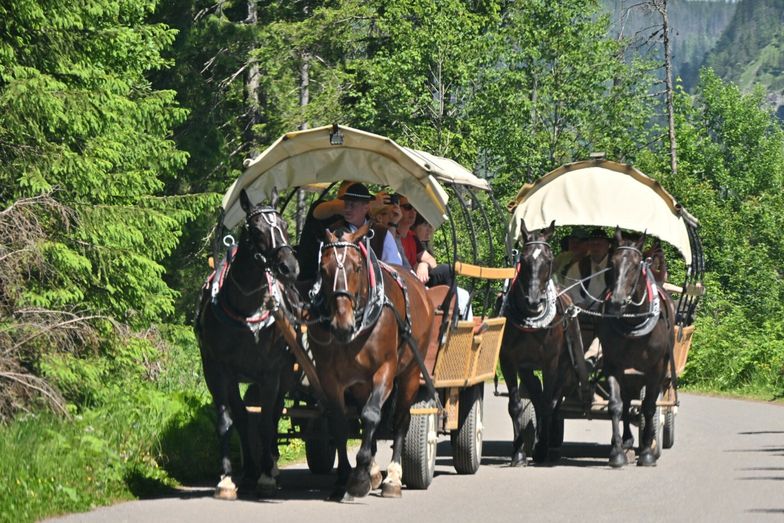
322,155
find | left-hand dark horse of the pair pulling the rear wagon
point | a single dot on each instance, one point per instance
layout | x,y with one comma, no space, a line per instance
541,333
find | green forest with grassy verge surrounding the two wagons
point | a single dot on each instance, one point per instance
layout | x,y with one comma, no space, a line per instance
122,123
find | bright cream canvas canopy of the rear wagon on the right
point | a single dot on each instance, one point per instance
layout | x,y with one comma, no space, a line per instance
605,194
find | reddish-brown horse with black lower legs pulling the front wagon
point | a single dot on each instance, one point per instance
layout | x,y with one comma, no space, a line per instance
371,319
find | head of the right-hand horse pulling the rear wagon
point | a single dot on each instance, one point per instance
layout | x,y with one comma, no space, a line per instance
627,263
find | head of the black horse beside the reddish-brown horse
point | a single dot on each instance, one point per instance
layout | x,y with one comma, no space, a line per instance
267,238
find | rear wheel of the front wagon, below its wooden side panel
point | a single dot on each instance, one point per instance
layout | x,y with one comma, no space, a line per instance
467,439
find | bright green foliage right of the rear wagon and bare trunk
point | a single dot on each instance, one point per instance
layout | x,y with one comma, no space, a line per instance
730,175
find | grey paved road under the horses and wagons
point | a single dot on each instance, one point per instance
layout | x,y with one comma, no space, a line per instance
727,465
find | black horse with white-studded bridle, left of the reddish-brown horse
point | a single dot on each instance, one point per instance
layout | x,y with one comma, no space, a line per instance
239,341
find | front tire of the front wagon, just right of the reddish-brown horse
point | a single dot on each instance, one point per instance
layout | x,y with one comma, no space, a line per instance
419,448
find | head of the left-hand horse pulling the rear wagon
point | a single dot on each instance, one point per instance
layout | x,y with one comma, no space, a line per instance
536,265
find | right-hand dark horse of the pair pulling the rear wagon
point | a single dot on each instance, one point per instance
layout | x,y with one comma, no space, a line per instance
636,332
